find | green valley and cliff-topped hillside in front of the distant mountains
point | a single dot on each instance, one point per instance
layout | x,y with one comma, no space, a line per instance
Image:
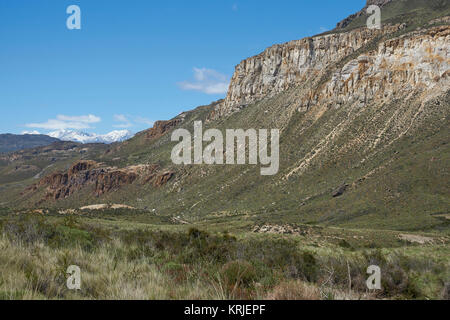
362,179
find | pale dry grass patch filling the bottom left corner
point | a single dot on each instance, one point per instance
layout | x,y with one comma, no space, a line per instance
38,272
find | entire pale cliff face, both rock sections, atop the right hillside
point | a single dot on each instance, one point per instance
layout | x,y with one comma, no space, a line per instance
417,58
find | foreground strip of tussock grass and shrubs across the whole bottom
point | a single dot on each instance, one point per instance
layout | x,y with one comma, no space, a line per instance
194,264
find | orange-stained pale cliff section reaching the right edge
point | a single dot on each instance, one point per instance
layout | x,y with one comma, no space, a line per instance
420,60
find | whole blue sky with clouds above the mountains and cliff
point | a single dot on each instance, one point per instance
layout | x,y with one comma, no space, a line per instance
136,61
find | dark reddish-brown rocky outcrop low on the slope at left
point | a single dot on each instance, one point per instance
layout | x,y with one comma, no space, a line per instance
102,179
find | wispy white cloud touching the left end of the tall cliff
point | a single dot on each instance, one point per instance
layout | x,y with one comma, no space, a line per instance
208,81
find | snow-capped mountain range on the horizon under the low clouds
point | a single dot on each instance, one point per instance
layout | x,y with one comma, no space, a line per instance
84,137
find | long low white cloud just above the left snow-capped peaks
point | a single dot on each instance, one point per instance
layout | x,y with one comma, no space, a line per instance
63,122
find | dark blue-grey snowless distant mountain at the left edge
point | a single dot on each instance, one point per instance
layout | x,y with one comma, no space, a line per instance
12,142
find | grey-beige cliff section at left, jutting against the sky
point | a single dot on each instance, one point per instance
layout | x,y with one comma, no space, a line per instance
291,64
